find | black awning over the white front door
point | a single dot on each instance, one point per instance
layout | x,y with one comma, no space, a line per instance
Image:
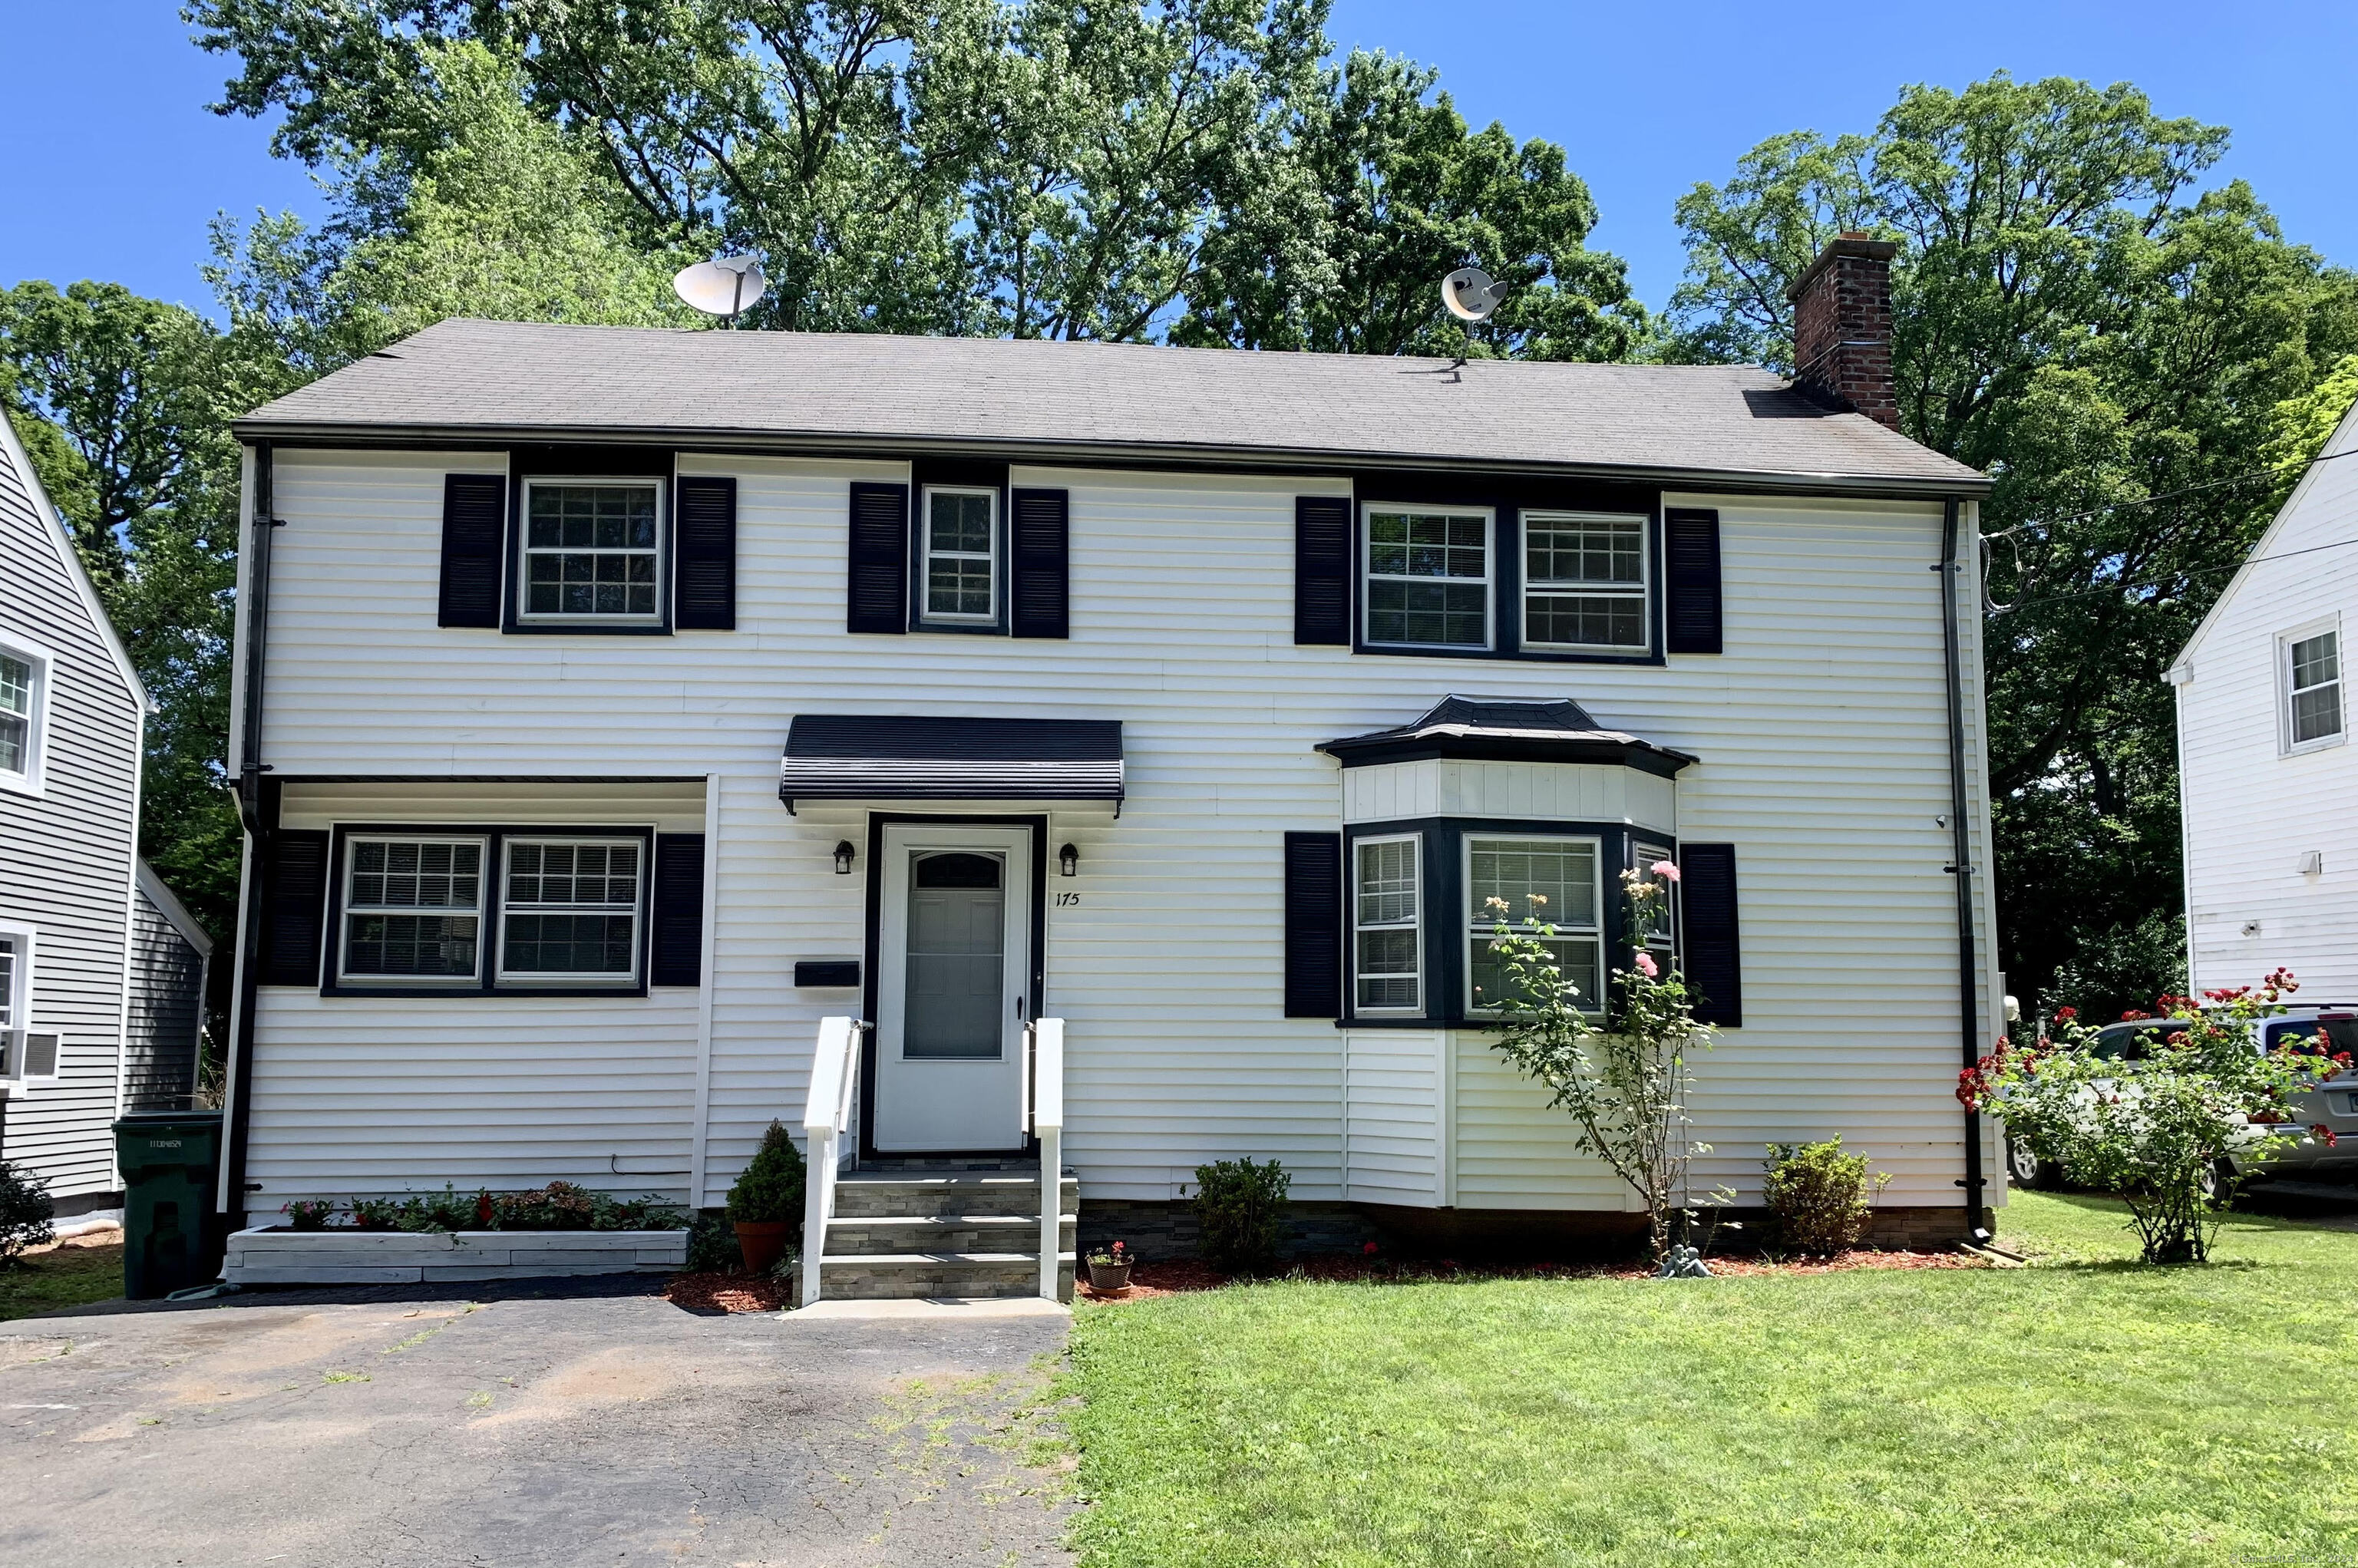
918,758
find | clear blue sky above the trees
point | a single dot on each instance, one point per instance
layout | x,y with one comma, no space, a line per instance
110,164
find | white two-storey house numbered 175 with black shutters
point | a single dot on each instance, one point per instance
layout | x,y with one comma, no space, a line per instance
621,704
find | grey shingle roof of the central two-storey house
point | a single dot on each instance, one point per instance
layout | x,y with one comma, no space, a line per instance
1084,400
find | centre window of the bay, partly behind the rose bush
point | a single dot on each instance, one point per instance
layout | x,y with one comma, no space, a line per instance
1548,881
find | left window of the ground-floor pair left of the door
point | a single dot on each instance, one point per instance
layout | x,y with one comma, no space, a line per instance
414,909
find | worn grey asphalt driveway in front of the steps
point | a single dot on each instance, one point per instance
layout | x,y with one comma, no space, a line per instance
588,1425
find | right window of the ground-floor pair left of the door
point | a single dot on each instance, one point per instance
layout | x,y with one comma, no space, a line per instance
572,909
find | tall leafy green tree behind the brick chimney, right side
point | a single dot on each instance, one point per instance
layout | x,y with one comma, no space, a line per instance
2112,345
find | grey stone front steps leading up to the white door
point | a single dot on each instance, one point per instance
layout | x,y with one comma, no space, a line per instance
942,1232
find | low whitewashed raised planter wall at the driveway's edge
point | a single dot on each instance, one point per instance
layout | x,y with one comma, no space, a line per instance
277,1256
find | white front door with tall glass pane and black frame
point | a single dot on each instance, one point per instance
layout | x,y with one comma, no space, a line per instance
954,989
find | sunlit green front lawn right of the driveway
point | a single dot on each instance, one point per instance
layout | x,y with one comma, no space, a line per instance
2081,1414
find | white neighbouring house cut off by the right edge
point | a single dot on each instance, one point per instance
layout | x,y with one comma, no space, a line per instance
2267,775
